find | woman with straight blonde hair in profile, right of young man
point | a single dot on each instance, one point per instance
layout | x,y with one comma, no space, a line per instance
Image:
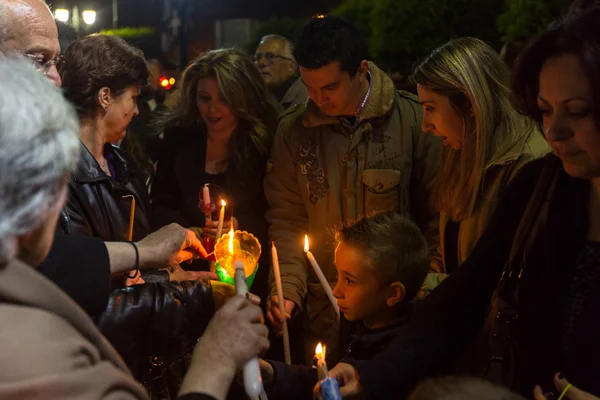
463,87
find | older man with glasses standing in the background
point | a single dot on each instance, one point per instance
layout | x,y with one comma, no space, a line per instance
277,66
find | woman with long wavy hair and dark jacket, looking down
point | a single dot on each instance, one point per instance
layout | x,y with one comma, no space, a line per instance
219,132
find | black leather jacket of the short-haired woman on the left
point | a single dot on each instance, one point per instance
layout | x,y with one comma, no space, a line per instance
154,326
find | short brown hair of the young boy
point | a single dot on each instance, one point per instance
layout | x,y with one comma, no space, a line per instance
395,246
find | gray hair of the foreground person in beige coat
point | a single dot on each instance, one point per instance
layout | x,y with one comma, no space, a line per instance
39,146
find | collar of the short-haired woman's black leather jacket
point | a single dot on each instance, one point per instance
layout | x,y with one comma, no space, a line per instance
88,170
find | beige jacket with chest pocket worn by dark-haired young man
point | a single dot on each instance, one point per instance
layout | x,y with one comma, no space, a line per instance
322,173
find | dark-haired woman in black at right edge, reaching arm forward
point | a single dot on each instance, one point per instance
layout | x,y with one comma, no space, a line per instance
524,308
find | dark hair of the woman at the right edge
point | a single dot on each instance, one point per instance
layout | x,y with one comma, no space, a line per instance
575,34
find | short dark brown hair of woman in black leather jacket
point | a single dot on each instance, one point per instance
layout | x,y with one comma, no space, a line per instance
98,61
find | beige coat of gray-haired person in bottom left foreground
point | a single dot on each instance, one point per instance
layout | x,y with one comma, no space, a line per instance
50,349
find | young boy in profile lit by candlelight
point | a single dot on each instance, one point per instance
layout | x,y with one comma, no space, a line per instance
381,263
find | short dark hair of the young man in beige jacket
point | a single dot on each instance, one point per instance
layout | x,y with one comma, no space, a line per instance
324,40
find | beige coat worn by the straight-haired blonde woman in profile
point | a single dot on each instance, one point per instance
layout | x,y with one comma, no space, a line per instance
498,175
